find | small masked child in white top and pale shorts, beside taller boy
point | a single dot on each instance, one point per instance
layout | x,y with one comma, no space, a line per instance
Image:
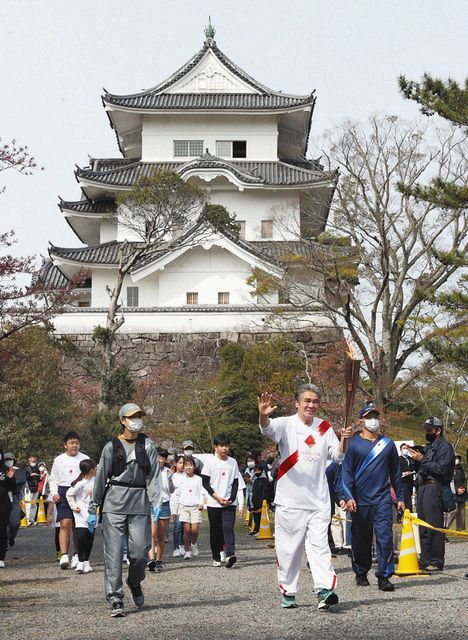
188,502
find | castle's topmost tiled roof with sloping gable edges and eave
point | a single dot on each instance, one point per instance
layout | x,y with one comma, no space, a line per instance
155,99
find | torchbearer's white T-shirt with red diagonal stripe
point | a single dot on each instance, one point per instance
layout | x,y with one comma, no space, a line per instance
305,450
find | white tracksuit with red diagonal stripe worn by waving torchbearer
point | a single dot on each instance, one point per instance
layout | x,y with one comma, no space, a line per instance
302,500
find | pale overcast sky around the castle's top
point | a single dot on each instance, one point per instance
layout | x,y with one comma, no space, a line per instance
57,56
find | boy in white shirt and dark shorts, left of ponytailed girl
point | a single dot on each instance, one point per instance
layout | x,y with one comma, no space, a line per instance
65,469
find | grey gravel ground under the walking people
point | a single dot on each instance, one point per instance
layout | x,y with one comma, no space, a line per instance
38,601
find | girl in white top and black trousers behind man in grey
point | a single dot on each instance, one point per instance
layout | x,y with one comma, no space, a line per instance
79,496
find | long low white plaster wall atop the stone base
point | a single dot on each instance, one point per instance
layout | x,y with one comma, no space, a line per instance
185,322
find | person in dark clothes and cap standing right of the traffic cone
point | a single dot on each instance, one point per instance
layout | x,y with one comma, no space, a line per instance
434,477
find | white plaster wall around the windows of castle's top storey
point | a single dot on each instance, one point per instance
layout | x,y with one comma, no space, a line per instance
159,132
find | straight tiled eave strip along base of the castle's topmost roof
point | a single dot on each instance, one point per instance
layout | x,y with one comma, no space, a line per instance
201,101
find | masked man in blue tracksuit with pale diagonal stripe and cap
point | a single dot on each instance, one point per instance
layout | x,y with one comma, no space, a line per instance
370,465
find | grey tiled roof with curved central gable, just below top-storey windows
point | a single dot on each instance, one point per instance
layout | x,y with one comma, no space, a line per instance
267,172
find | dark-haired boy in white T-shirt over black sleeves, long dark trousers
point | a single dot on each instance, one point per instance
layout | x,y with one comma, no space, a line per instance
221,480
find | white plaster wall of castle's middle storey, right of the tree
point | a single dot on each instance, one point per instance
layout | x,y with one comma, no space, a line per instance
255,206
